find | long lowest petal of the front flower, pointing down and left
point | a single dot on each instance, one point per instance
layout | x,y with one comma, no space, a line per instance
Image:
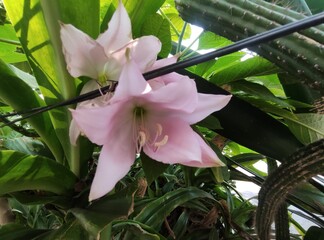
115,160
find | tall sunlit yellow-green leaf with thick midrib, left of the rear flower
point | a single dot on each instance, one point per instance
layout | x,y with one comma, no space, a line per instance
37,25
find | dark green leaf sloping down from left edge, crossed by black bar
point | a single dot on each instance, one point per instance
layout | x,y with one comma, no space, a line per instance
16,93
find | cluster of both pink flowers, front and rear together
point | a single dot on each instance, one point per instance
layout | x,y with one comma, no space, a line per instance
152,116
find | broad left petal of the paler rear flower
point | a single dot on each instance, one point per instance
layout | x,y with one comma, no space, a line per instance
83,55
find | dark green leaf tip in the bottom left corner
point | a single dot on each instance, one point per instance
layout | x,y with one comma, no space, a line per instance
15,231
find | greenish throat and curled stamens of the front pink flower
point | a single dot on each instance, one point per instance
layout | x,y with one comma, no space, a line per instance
141,134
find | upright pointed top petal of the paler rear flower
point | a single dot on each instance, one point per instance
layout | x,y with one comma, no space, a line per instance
119,31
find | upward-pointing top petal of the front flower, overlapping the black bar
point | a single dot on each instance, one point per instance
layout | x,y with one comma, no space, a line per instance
131,83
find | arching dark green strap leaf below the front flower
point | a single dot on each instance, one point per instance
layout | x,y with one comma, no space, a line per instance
154,213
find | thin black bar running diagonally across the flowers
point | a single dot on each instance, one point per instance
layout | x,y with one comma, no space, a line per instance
245,43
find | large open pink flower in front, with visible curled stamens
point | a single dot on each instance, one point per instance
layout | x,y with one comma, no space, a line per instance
153,116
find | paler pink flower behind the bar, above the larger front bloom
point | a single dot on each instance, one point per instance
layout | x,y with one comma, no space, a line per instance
102,59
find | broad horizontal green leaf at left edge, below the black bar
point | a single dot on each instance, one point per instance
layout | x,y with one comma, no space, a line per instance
20,172
